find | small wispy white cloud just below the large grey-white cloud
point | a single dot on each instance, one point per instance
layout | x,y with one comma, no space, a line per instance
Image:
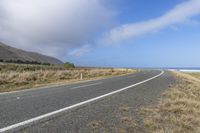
80,51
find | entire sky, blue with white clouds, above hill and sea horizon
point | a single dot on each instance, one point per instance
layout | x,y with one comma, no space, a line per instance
106,33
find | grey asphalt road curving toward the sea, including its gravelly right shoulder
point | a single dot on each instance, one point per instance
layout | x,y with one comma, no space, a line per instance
69,108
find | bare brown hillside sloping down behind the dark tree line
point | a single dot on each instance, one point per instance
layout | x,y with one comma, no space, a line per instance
11,54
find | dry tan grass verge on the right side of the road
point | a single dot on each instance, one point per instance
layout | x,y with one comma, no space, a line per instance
179,109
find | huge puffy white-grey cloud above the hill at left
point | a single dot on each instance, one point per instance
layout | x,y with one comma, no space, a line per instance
51,26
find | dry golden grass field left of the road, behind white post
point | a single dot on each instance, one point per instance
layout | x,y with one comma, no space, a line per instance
16,77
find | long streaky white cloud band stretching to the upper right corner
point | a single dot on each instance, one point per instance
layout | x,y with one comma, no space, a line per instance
181,13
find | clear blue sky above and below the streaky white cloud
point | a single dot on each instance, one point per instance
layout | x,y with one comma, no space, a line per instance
175,46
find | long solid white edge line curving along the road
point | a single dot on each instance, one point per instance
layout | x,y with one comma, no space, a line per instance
74,106
